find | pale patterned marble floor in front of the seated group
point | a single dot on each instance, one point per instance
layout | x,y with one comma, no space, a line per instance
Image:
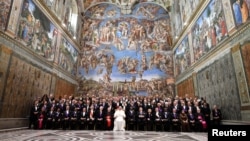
70,135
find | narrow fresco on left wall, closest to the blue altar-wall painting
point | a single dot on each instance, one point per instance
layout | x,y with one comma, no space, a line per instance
68,56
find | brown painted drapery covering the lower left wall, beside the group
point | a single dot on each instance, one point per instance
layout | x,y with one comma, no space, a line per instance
21,82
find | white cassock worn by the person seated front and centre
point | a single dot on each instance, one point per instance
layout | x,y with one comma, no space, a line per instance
119,123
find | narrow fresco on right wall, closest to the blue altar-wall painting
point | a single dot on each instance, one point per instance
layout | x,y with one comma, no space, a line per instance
182,56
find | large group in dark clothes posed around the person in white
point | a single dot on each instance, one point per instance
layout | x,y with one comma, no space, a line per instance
151,113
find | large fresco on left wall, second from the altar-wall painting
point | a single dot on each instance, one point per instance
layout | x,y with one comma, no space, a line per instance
36,31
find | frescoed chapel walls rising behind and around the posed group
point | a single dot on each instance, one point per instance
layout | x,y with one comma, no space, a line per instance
118,48
